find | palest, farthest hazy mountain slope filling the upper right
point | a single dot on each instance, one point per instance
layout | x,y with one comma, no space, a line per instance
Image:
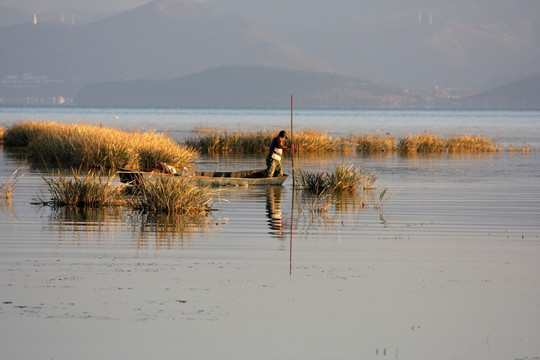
415,44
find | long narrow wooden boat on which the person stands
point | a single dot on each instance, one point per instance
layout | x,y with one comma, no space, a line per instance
207,178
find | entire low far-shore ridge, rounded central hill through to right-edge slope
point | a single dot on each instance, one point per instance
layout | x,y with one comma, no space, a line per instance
264,87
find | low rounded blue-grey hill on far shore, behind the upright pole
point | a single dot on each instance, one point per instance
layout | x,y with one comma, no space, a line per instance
248,87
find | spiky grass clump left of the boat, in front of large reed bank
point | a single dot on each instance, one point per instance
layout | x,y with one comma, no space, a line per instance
90,189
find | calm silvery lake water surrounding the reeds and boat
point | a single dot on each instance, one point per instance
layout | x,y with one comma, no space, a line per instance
448,268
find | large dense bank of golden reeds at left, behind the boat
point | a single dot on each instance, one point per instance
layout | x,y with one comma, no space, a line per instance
95,146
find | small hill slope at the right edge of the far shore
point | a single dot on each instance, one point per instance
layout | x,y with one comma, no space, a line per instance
518,95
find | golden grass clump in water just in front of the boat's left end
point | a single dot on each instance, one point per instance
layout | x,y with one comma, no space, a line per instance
173,195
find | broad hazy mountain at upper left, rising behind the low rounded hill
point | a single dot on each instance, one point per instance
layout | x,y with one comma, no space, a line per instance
163,39
